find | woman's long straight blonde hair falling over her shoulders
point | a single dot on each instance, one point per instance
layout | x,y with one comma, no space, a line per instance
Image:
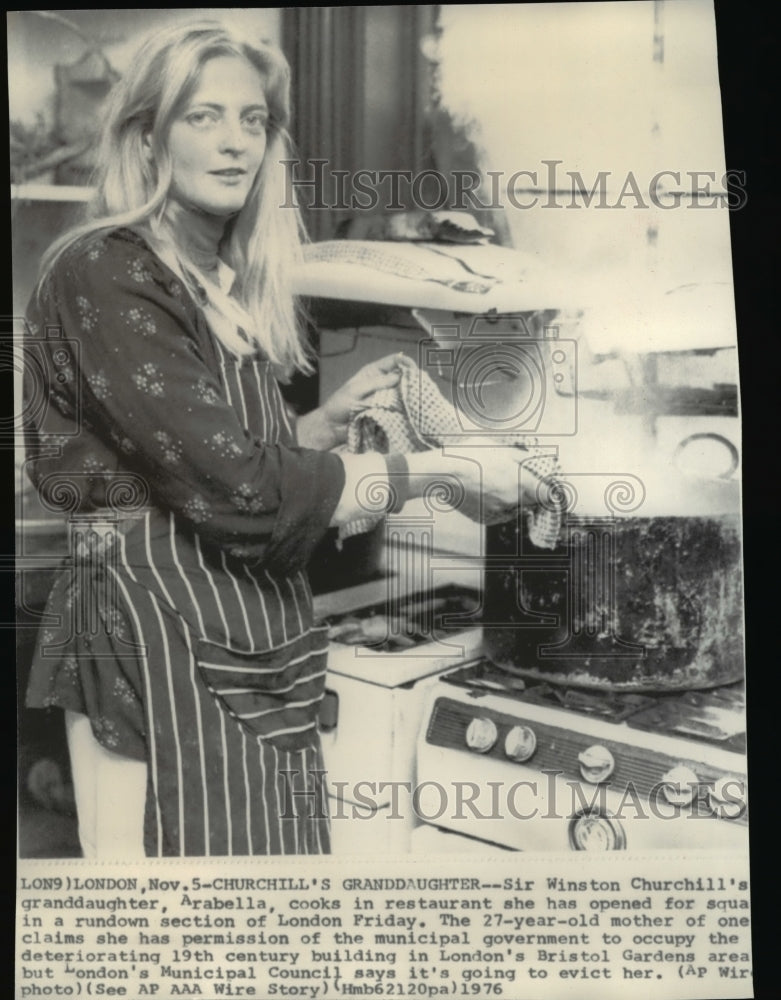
262,242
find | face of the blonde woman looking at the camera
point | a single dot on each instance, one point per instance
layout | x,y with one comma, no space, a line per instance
218,140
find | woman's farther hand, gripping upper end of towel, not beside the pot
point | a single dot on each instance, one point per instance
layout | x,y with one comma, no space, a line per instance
326,426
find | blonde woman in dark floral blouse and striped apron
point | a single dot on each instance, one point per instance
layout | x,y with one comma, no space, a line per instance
186,657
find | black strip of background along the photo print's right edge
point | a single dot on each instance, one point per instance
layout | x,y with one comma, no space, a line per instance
748,54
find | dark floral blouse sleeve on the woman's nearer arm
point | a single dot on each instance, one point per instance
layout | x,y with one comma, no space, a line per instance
146,383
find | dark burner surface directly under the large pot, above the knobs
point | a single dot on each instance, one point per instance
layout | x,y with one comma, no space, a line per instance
711,716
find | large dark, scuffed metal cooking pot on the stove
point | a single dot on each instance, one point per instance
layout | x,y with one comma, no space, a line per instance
625,604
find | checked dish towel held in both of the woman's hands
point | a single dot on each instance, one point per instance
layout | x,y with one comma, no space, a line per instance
414,416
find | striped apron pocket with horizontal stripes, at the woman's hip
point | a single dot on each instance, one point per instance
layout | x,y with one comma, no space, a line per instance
274,694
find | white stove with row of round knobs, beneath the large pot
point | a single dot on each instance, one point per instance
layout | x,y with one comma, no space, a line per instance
528,765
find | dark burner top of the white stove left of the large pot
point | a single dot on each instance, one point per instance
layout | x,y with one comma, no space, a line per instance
417,619
